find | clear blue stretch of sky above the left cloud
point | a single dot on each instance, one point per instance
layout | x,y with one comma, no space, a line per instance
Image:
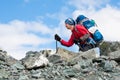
27,10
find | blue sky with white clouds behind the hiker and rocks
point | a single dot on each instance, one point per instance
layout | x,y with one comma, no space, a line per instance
30,25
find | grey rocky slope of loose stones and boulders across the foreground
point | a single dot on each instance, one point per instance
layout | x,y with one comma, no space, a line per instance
63,65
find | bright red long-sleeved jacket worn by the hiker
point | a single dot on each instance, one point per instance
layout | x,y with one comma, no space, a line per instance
77,32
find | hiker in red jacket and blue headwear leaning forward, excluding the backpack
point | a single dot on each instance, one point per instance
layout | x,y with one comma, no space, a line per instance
79,36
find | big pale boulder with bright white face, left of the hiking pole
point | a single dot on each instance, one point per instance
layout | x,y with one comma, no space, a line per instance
35,61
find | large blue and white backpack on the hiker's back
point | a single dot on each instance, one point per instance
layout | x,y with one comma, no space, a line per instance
91,26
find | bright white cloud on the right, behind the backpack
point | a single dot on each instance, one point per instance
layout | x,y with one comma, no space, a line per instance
108,18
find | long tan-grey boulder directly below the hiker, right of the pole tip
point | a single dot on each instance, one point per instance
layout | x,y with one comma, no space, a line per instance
69,55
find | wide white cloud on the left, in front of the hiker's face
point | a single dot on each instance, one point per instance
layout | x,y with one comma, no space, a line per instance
17,35
